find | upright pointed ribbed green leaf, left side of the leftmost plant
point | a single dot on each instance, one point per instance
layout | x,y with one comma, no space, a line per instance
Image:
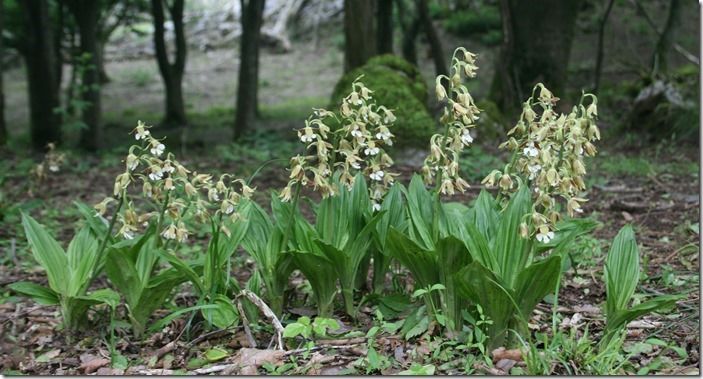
48,253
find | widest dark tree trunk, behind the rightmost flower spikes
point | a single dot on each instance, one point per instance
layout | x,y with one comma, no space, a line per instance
533,52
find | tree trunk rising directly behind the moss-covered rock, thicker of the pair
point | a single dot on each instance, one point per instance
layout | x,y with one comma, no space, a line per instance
359,37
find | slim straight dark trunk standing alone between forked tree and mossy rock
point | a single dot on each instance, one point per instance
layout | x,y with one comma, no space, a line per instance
247,91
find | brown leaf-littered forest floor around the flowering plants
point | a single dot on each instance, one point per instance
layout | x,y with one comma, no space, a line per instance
653,188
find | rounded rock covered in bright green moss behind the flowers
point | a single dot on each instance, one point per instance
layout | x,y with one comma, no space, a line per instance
399,86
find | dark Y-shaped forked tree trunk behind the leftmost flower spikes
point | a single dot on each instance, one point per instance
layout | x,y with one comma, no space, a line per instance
172,73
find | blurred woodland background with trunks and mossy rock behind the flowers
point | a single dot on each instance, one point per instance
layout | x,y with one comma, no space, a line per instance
82,72
